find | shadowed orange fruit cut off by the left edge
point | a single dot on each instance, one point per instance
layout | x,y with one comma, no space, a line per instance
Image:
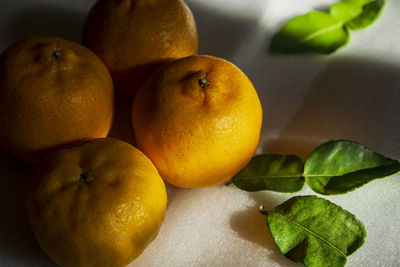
53,92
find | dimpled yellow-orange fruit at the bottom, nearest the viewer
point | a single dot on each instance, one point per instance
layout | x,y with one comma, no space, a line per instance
97,204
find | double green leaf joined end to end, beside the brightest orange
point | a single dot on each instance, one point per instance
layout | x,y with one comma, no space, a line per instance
335,167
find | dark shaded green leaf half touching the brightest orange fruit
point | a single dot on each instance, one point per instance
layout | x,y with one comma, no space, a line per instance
282,173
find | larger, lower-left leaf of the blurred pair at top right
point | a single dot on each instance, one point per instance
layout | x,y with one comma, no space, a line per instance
316,32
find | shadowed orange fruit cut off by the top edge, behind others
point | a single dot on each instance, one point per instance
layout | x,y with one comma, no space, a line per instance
135,37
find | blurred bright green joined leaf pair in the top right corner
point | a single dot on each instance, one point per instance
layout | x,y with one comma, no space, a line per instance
322,32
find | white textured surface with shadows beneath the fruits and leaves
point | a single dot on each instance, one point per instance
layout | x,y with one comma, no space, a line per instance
307,99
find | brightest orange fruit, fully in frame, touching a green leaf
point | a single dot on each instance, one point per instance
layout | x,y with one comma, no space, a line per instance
199,120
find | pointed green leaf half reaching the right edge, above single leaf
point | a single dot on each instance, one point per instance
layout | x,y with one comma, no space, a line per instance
337,167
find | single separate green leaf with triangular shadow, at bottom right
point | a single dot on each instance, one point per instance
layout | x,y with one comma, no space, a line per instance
315,231
